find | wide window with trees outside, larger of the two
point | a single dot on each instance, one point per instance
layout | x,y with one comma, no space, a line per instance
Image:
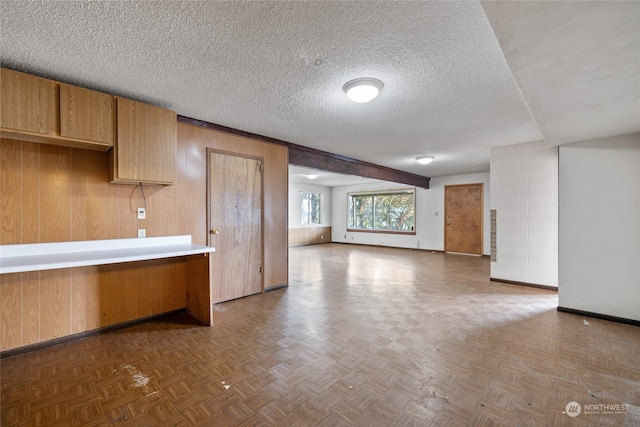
388,211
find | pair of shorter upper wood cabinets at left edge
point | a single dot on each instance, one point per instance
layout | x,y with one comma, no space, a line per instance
41,110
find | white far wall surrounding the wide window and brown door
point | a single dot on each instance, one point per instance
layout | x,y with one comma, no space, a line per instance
429,214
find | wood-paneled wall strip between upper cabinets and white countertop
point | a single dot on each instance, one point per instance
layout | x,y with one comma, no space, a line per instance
54,194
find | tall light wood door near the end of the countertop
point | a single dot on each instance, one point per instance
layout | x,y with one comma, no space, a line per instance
235,226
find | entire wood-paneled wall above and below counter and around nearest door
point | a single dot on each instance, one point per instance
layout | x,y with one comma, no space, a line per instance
51,194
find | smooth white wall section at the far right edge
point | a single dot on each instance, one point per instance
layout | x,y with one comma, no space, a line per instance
600,226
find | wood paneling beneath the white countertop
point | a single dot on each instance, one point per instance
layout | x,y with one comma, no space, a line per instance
41,306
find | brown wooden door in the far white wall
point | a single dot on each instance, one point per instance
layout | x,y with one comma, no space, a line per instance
463,218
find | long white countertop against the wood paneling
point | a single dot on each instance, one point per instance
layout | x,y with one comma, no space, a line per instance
49,256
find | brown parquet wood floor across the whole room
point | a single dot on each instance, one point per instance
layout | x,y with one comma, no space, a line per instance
362,337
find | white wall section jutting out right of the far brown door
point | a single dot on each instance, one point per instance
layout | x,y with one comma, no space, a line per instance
524,193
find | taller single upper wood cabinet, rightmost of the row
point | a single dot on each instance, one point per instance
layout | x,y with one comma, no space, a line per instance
146,144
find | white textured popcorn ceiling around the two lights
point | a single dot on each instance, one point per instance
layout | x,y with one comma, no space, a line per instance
460,77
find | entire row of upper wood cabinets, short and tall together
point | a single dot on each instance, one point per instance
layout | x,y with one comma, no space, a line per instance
143,137
